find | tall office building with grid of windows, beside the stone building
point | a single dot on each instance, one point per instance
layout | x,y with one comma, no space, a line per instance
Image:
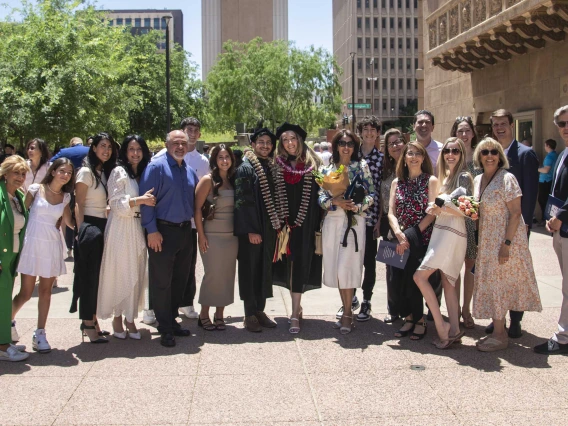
383,38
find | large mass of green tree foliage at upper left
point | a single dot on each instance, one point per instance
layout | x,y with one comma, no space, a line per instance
64,72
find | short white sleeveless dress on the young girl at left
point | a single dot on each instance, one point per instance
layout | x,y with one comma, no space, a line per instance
42,254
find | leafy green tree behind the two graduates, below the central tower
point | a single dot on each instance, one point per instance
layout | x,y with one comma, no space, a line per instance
275,82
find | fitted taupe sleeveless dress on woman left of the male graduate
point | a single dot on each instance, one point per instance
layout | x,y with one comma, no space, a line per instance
220,260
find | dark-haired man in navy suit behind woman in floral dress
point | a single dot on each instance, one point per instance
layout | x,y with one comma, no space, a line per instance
523,164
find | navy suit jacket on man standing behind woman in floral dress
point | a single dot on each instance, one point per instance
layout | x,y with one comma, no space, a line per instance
523,164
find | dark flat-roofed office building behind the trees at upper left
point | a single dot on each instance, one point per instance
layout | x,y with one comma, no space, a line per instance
141,21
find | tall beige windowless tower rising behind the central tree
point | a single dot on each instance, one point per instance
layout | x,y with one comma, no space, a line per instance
240,20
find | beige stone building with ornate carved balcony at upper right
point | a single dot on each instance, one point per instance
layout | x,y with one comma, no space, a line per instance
482,55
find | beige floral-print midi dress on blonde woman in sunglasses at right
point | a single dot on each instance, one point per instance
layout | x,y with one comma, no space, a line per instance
511,286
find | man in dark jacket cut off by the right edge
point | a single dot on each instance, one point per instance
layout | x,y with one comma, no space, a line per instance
558,343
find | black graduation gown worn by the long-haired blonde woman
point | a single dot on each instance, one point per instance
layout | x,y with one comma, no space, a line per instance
306,273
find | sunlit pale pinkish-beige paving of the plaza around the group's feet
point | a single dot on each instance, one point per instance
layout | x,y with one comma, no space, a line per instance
317,377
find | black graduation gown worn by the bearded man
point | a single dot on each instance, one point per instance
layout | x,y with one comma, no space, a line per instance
251,216
